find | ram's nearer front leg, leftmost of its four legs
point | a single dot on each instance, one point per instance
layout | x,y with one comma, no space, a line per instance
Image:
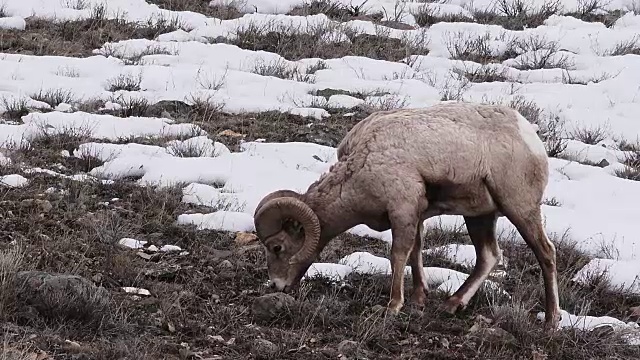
404,225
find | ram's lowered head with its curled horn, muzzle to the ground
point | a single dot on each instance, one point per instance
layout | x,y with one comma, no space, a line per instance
290,232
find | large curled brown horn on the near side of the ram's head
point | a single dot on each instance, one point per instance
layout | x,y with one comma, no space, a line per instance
270,215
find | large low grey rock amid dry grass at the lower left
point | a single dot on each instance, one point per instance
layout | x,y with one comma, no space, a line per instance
62,296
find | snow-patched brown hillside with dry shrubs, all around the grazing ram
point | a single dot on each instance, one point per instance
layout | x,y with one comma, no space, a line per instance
137,138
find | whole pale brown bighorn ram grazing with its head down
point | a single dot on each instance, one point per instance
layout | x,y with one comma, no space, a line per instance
397,168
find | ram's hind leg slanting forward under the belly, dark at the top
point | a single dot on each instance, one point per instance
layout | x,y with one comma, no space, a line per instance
482,233
